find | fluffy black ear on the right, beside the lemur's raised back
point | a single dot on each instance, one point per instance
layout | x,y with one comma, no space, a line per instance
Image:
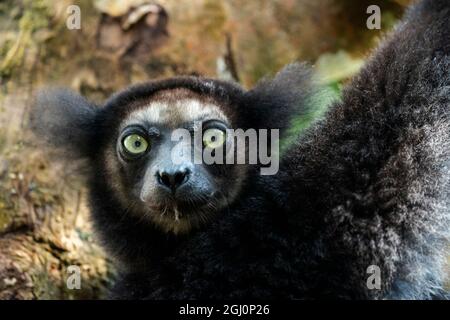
276,101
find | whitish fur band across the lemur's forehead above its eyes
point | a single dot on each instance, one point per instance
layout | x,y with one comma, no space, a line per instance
175,113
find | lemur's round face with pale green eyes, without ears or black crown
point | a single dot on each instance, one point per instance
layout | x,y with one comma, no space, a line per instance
157,176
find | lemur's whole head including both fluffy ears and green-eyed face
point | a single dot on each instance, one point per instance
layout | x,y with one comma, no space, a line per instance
136,143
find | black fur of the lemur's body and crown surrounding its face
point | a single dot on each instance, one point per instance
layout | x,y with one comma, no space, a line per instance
367,185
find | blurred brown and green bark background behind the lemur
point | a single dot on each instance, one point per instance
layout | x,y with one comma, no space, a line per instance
43,221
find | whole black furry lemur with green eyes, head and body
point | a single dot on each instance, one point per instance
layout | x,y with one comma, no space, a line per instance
366,186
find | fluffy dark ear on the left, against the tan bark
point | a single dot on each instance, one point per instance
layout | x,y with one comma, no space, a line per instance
63,119
